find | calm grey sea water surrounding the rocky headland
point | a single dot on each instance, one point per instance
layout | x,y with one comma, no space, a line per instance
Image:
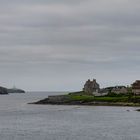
21,121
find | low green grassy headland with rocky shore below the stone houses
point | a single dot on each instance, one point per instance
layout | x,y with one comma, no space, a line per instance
80,98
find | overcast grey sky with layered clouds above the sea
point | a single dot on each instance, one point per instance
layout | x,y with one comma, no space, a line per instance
56,45
